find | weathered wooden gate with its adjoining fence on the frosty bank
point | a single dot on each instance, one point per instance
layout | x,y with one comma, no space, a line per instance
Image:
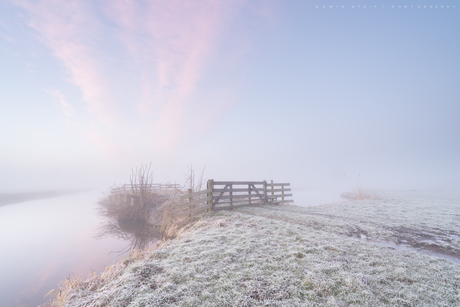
226,195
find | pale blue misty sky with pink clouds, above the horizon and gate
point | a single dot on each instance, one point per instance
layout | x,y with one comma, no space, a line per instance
323,98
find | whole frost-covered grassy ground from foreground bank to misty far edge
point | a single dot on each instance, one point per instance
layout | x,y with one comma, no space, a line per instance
293,256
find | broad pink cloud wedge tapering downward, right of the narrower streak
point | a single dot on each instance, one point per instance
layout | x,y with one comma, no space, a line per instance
178,38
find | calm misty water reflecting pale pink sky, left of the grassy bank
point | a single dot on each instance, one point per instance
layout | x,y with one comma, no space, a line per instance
45,241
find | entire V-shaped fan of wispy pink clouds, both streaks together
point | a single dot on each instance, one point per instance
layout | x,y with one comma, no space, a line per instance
160,49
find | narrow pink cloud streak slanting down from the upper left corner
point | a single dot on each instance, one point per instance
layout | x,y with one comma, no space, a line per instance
67,28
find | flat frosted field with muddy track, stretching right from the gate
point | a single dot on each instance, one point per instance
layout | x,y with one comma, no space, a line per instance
425,220
